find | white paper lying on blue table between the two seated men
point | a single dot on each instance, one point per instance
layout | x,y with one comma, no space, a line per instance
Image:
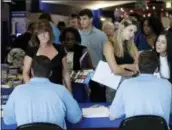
95,112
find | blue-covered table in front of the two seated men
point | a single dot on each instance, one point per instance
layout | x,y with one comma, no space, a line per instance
90,123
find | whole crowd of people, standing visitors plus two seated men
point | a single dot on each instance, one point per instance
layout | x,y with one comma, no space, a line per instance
134,48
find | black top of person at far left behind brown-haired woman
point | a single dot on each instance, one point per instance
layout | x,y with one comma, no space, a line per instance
22,41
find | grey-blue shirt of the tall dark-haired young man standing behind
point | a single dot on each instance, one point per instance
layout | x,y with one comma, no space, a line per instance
94,41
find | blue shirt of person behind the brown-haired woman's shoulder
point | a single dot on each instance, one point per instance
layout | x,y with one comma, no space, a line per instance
56,33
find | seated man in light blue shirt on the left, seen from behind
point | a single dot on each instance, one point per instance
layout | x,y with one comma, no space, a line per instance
39,100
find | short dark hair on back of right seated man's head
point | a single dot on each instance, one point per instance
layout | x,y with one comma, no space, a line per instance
148,62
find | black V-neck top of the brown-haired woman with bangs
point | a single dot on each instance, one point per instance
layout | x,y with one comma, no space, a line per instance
56,76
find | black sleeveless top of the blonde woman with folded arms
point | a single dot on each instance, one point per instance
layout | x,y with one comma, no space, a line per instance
127,59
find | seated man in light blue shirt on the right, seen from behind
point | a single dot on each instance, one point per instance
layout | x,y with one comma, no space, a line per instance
145,94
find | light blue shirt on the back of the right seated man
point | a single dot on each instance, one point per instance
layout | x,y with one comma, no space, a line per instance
143,95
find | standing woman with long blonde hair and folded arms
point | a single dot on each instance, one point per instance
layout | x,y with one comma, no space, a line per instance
121,53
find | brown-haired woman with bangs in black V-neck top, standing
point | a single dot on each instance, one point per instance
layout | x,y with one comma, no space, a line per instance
42,44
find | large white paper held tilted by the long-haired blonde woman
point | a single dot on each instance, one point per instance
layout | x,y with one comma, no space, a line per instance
104,75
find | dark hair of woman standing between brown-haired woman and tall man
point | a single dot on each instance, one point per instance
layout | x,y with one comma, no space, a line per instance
73,31
